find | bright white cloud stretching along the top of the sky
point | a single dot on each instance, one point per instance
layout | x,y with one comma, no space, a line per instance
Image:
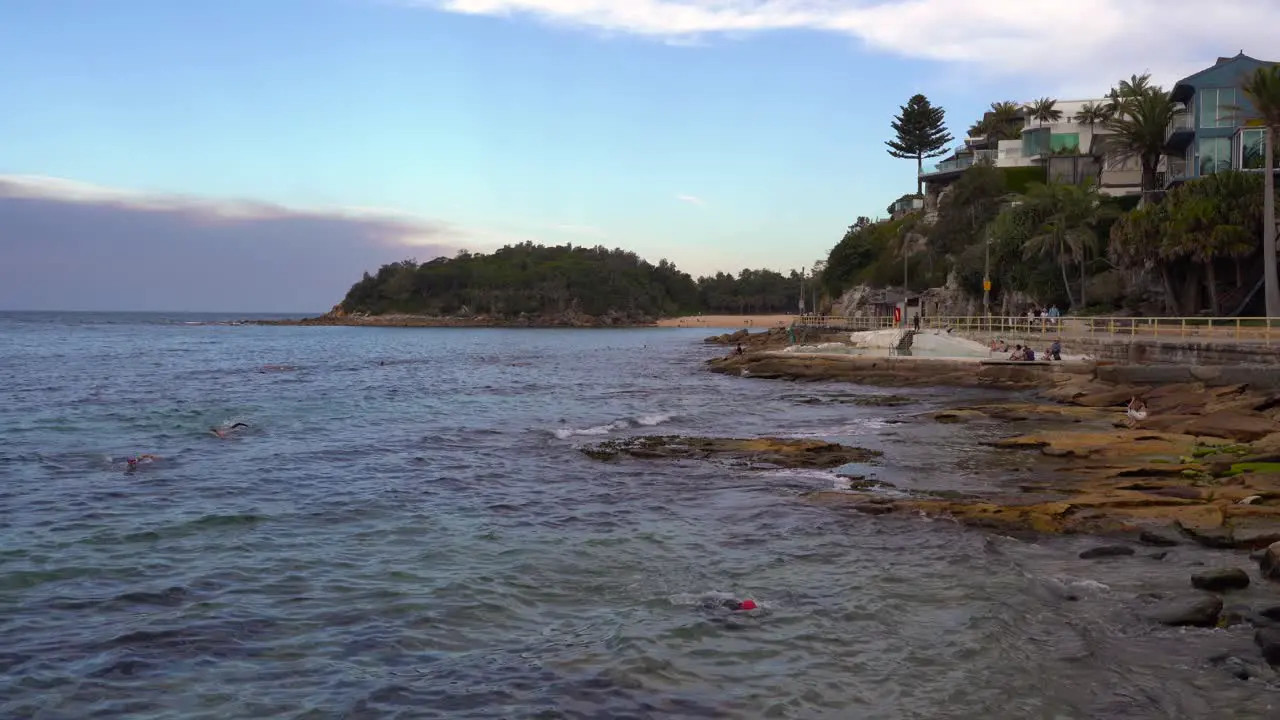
1081,44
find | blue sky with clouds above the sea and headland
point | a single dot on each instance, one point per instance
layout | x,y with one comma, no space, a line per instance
259,156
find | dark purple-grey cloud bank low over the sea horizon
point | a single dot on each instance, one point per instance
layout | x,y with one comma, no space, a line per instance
77,247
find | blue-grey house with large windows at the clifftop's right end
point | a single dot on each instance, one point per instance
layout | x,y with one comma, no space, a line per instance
1213,133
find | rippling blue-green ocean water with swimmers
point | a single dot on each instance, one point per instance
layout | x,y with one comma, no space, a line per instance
408,528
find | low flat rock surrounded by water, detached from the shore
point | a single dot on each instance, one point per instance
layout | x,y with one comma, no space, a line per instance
755,454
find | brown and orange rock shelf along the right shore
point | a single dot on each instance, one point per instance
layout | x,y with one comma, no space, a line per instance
1204,467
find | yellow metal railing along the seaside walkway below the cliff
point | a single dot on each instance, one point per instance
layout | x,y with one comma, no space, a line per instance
1244,330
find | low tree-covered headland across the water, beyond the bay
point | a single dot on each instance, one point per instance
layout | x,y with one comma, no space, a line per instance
537,280
